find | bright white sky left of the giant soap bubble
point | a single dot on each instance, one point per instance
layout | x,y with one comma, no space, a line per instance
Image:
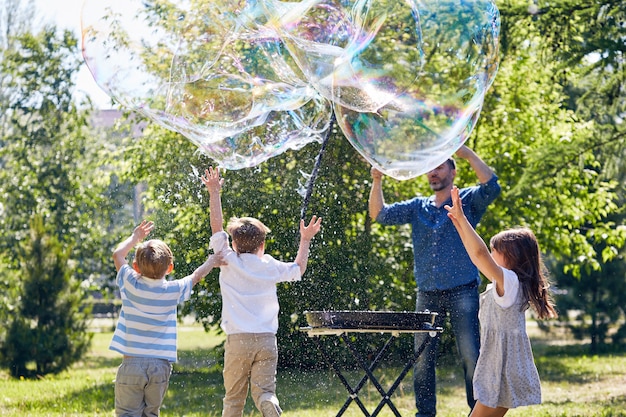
66,14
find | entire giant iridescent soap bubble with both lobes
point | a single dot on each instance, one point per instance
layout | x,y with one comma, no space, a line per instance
247,80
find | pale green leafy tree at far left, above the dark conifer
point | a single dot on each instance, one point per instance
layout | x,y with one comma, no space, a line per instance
50,164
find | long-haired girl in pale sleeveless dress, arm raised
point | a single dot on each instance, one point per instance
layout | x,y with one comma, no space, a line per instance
505,375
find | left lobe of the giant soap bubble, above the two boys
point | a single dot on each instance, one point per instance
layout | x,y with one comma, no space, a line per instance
210,73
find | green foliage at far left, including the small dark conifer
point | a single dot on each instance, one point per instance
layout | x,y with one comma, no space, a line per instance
50,175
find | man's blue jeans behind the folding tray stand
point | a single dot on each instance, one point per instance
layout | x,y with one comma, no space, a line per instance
461,305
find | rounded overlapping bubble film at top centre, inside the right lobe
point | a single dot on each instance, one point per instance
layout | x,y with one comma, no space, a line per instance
358,54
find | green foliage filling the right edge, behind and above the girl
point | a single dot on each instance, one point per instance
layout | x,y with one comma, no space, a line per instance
555,117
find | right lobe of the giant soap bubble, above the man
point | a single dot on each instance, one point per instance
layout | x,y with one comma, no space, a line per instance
407,78
